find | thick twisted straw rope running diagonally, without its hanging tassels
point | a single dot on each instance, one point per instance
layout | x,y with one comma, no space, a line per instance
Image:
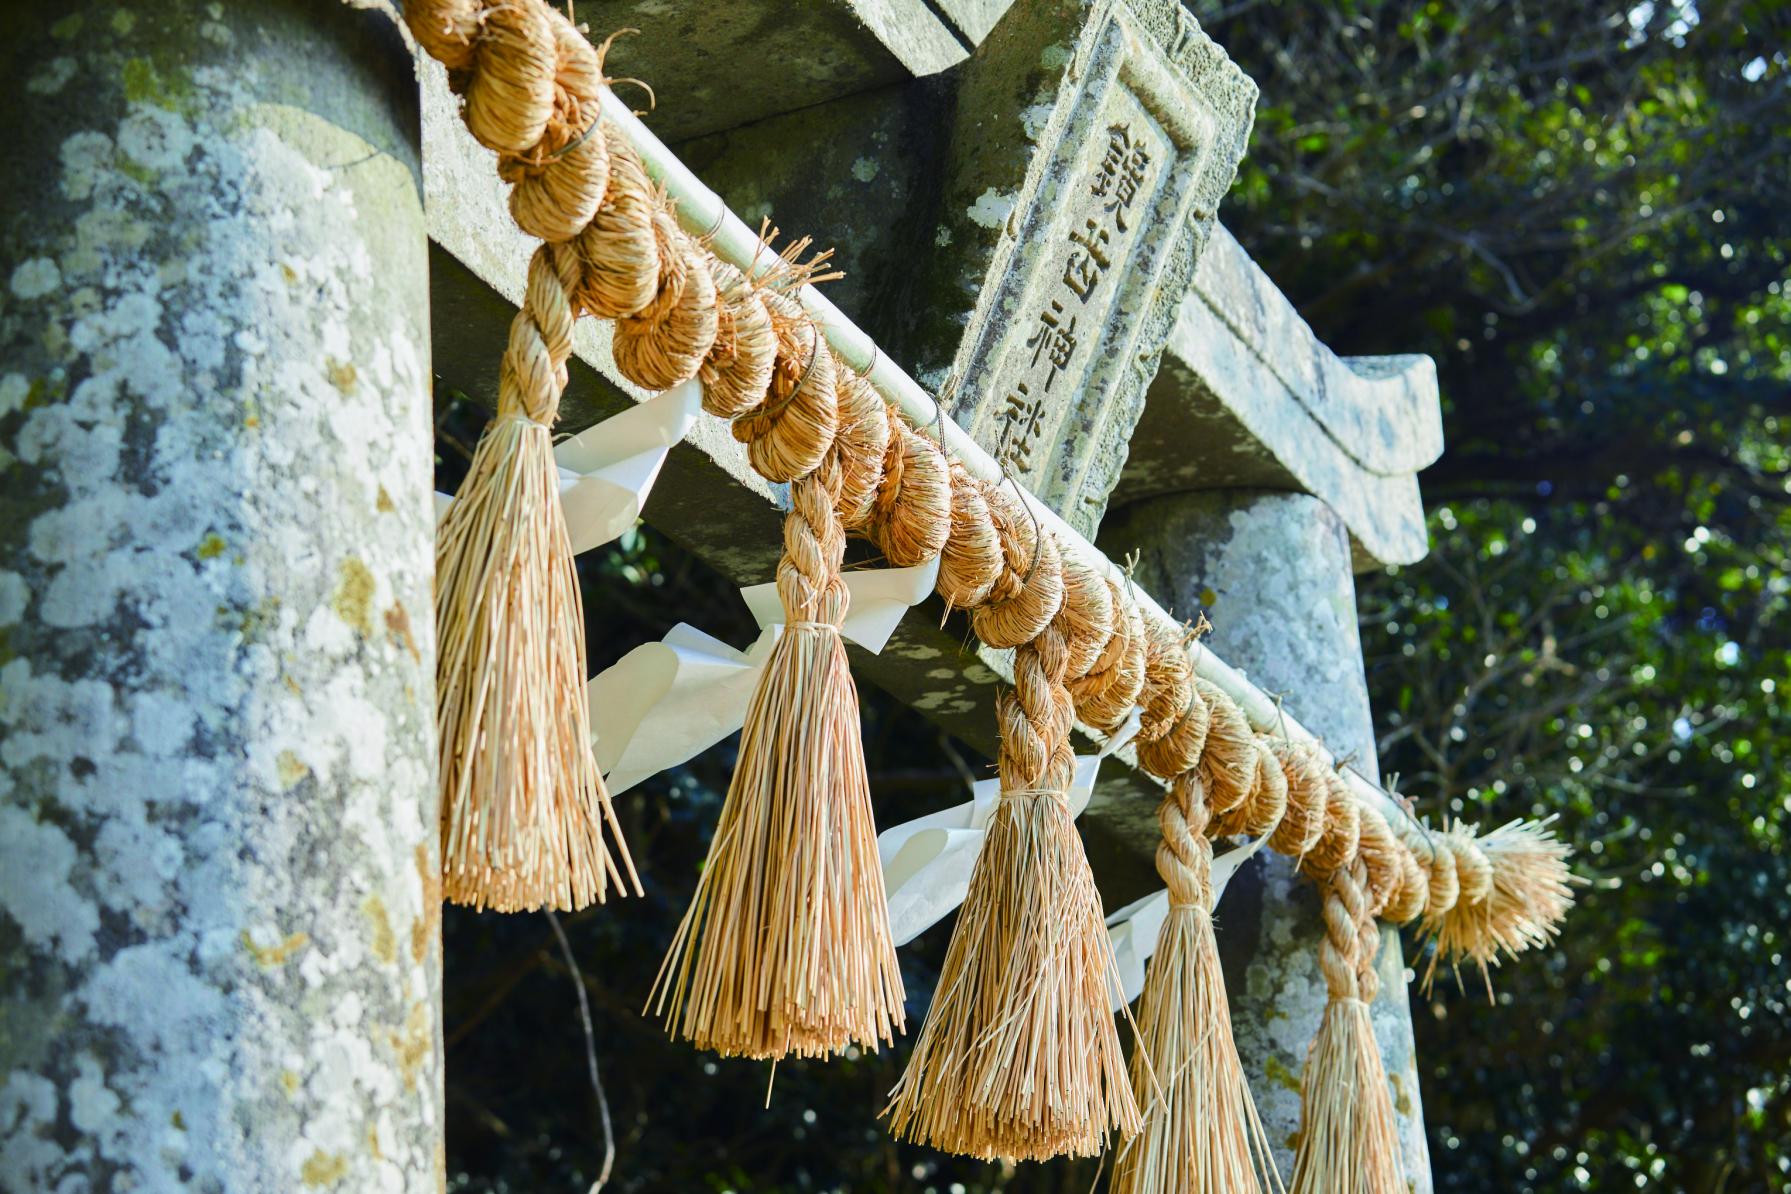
531,92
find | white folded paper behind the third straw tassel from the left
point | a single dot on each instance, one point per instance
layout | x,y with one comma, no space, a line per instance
929,862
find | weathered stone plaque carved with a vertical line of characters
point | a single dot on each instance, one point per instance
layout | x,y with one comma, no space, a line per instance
1131,133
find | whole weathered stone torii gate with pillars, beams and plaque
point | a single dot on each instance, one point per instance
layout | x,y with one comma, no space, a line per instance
221,928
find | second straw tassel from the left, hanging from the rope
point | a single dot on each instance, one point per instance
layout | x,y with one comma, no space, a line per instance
787,948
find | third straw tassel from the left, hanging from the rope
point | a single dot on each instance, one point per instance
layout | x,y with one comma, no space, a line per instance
1020,1055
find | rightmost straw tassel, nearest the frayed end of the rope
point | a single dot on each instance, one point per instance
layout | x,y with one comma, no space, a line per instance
1348,1136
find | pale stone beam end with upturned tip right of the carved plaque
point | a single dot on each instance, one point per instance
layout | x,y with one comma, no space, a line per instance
1247,397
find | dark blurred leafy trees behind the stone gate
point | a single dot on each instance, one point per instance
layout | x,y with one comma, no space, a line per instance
1581,212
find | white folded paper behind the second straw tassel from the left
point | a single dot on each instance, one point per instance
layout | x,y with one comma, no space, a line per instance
667,703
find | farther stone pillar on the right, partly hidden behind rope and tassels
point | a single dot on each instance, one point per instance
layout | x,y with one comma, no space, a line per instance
1273,572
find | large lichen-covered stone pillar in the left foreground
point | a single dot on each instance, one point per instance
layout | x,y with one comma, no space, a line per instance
219,919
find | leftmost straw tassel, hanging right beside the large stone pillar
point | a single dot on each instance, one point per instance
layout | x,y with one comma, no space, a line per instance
524,805
